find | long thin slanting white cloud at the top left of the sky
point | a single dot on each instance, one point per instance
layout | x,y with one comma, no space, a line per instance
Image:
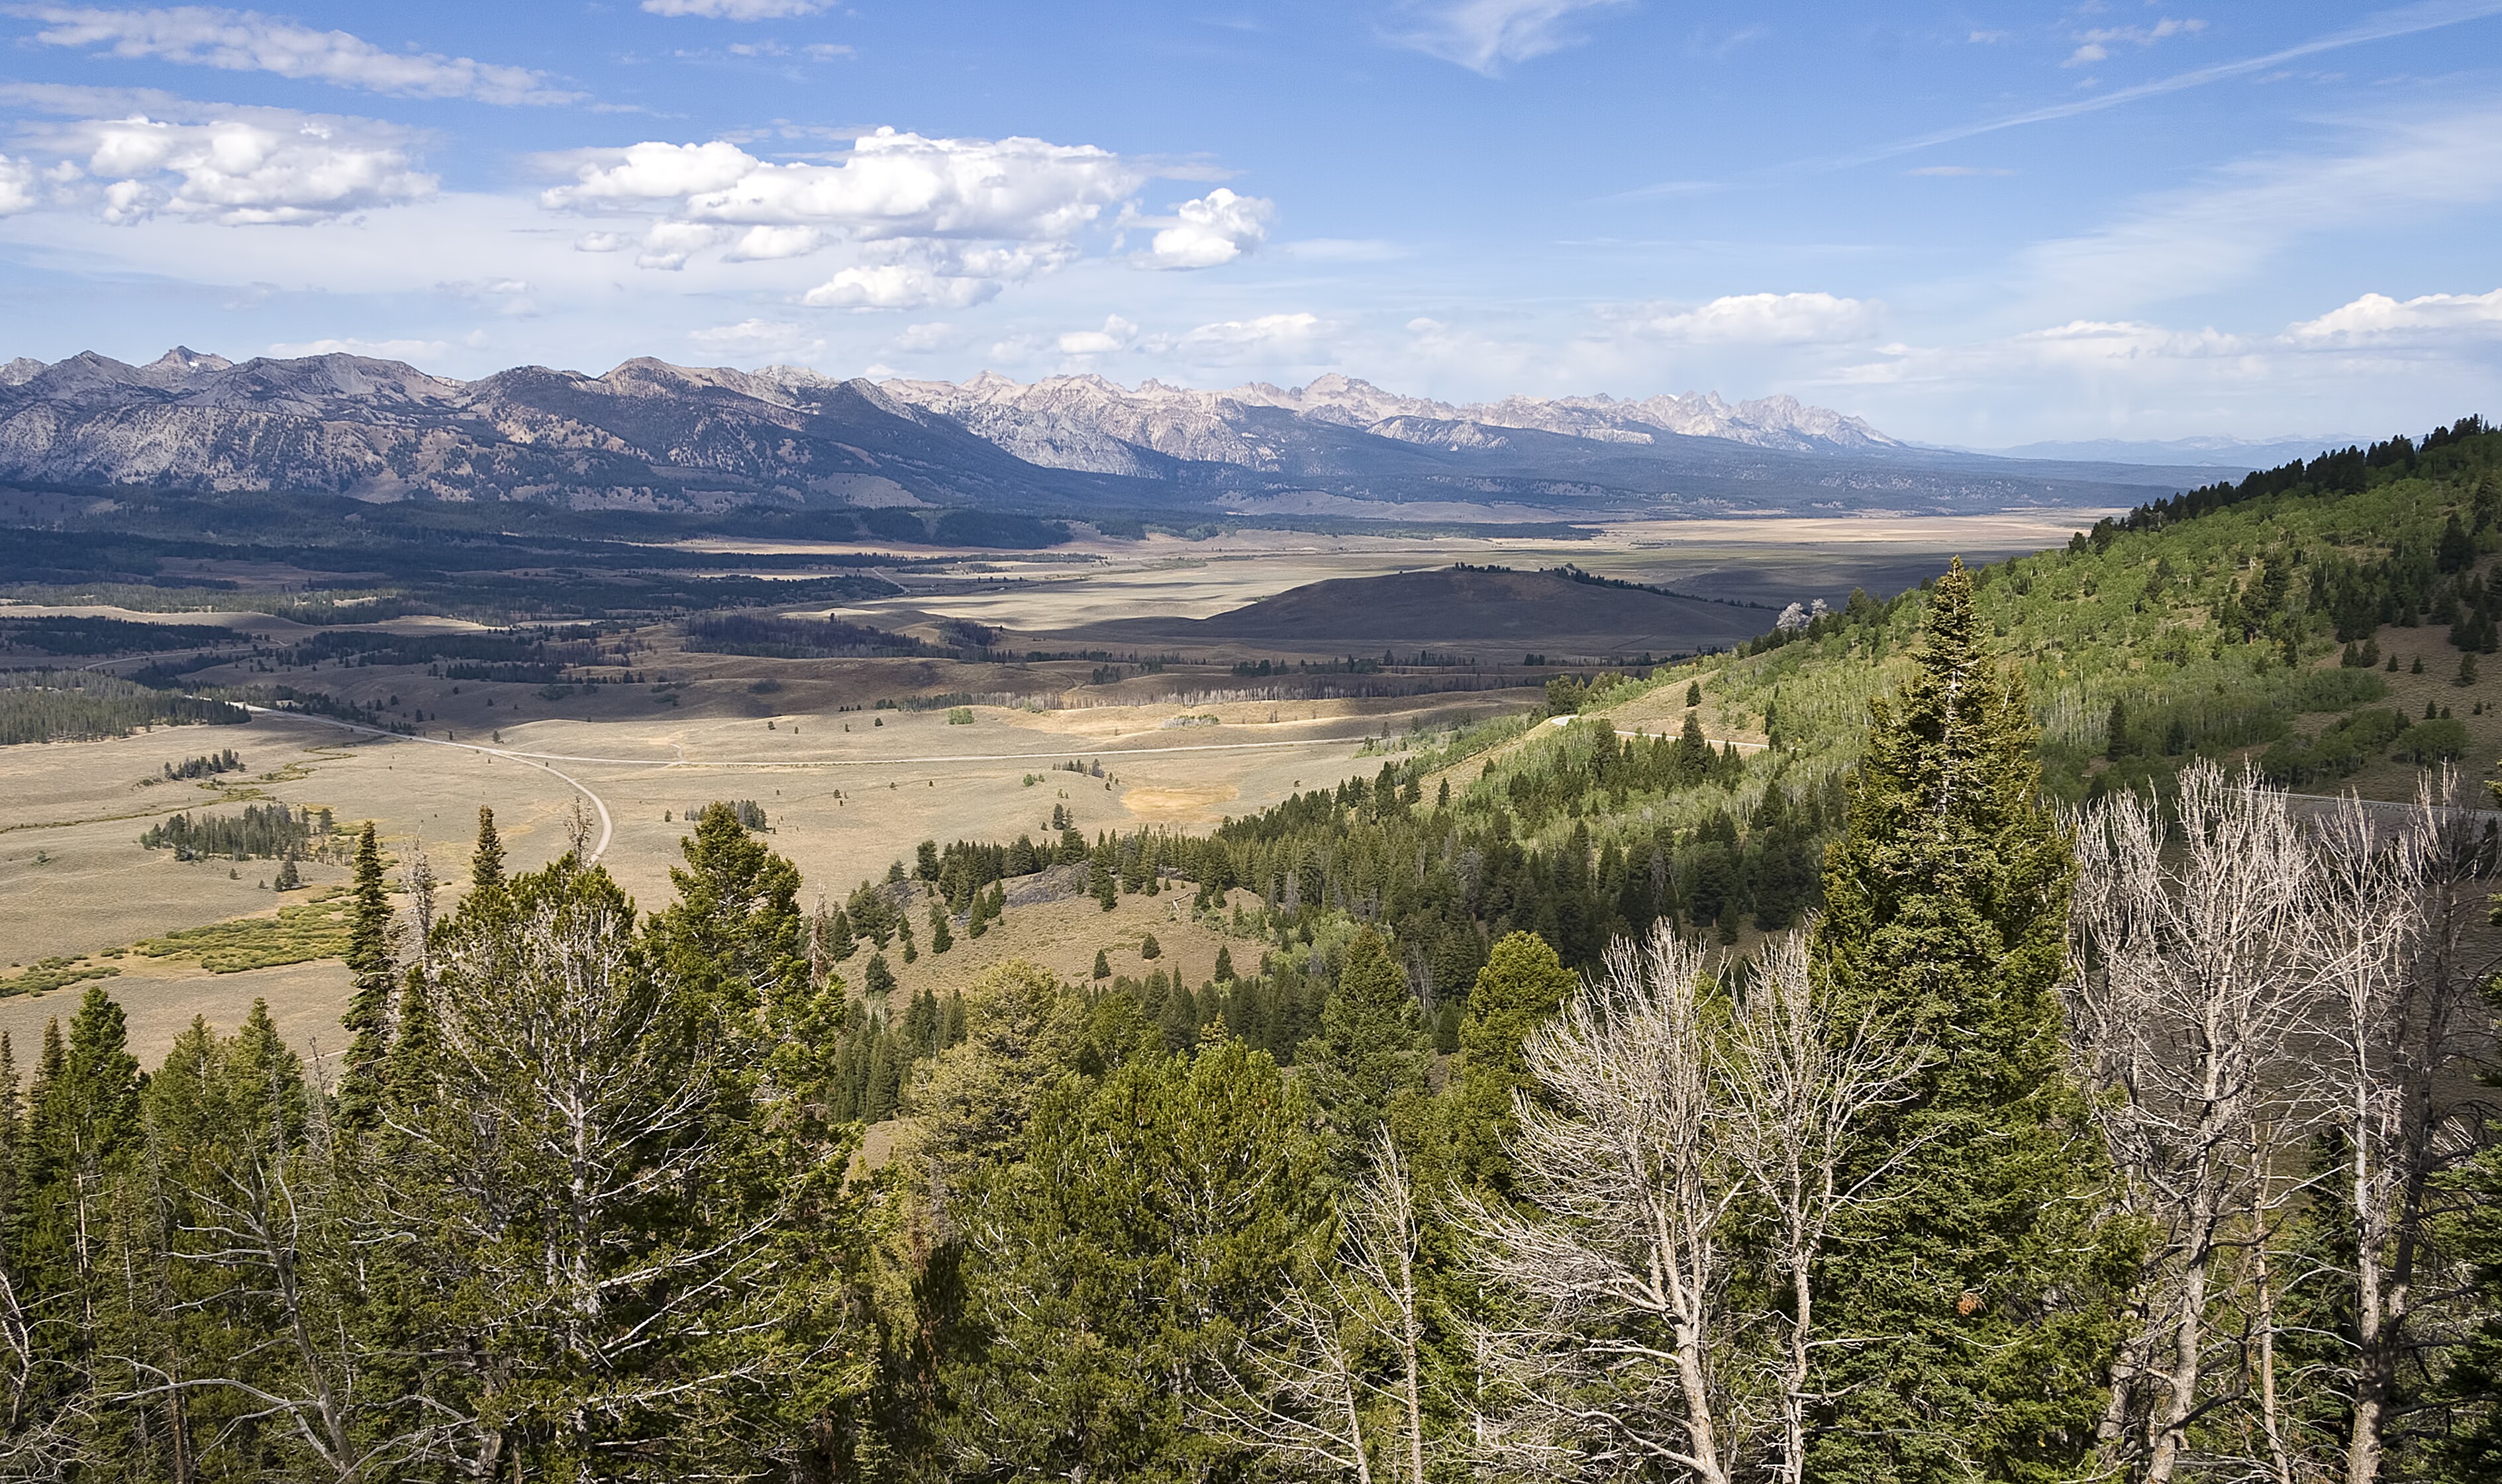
244,41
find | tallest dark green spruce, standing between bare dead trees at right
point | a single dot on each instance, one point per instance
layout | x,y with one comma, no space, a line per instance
1978,1288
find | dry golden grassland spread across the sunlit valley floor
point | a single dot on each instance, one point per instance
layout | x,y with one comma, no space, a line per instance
847,790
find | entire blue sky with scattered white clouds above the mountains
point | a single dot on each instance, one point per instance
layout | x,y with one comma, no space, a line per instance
1970,224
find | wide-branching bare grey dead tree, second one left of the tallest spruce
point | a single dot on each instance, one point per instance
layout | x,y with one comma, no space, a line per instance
1620,1355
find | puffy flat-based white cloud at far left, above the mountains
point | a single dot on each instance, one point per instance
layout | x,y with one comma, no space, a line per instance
244,169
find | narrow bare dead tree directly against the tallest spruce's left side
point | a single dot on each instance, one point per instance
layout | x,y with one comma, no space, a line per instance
1800,1092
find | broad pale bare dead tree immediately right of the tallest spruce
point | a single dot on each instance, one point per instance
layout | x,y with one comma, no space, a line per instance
2183,1010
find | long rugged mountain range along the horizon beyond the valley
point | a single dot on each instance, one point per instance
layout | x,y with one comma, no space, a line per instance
1072,447
